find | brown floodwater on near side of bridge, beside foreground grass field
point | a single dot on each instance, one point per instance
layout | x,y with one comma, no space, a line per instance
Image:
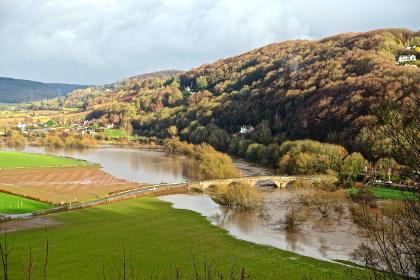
330,238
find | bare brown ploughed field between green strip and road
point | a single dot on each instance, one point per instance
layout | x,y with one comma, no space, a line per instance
62,183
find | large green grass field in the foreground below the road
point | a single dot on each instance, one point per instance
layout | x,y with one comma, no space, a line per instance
158,238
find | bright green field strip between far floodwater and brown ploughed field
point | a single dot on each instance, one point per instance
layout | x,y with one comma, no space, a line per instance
16,159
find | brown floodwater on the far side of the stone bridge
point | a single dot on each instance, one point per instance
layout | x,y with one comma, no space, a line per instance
143,166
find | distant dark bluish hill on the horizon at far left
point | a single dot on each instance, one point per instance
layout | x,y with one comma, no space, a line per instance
17,91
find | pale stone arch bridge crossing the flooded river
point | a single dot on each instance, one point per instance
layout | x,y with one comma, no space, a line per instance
279,181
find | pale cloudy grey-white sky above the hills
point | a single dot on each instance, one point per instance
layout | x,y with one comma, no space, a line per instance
102,41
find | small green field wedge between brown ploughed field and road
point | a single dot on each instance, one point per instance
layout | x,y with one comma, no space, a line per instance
12,204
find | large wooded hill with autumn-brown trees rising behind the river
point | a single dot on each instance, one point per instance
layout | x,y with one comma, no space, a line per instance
329,90
